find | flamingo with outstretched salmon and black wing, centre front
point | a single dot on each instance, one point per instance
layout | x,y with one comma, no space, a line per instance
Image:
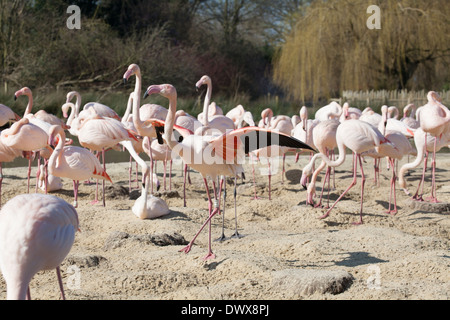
214,156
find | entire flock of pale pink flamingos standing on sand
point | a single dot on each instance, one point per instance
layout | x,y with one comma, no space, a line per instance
37,230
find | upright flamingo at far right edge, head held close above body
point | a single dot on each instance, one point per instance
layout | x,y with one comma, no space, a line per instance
436,123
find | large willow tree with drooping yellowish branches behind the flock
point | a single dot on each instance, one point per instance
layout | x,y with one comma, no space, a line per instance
331,48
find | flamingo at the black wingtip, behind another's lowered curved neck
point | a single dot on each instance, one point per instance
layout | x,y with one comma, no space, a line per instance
324,136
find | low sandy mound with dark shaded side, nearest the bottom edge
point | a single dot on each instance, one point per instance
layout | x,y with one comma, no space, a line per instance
308,282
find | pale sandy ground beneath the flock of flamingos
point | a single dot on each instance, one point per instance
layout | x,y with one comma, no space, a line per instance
405,256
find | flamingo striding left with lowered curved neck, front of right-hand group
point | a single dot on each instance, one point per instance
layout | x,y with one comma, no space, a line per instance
358,136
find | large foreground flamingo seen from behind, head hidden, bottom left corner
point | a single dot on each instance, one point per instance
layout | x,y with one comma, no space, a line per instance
37,232
